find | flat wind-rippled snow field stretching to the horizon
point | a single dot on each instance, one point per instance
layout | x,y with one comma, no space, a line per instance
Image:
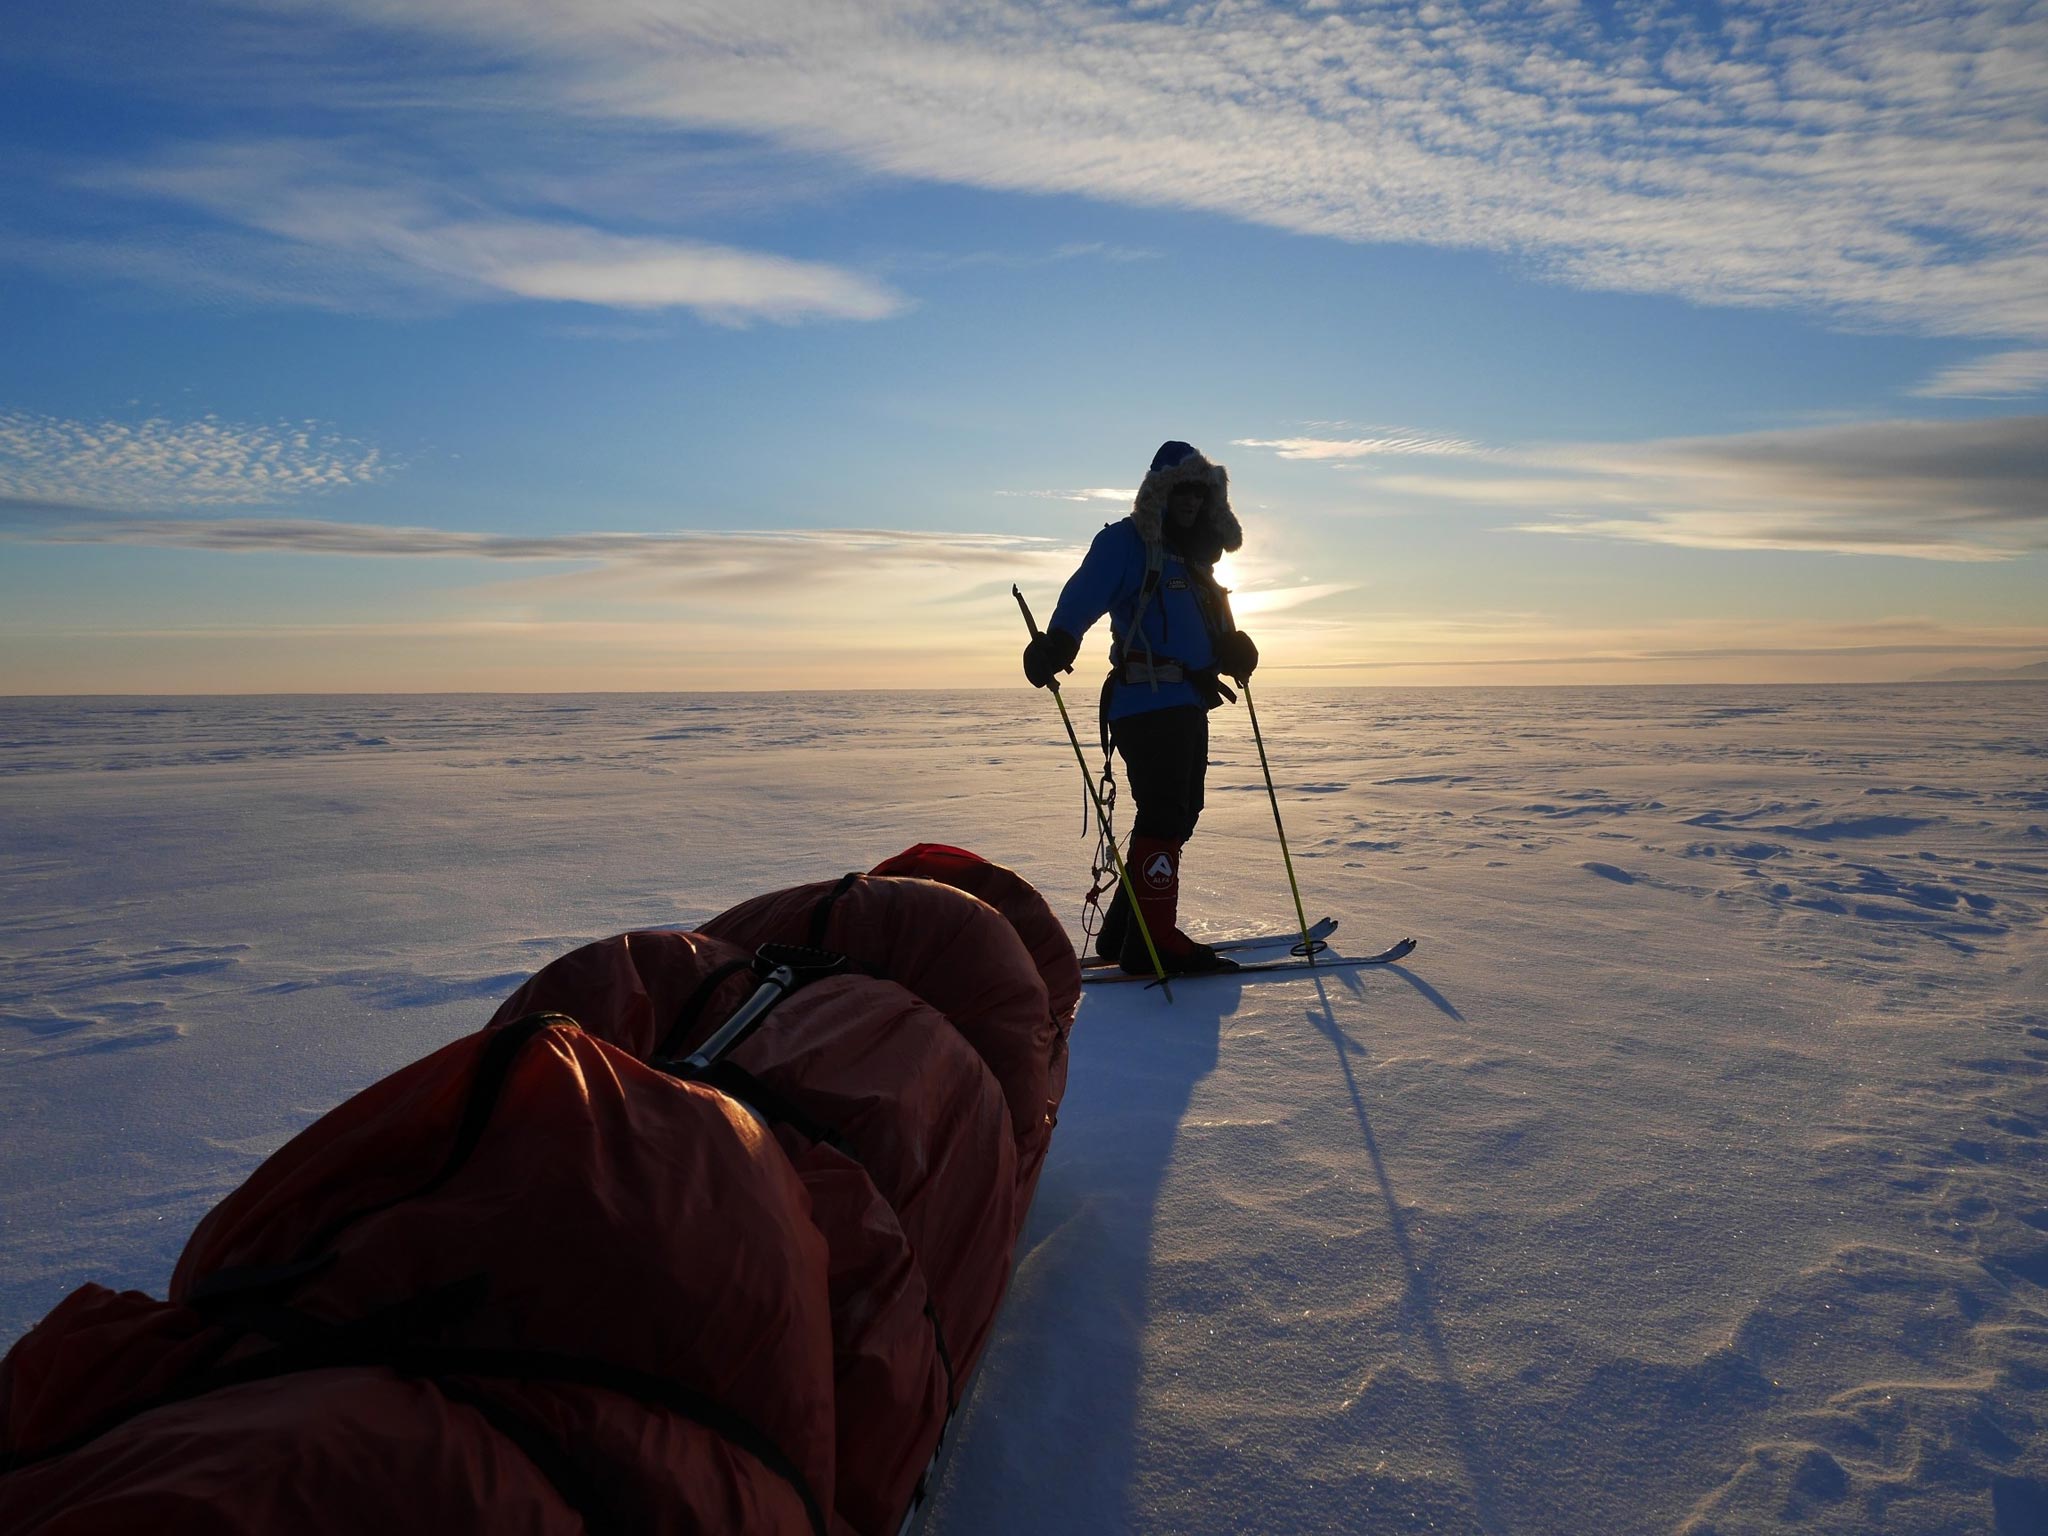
1687,1179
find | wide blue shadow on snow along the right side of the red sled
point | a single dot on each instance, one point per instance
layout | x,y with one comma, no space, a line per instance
1058,1392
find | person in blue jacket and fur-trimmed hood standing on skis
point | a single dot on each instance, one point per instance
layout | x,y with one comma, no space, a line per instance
1172,644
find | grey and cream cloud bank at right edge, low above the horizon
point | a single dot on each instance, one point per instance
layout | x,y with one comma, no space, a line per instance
1930,490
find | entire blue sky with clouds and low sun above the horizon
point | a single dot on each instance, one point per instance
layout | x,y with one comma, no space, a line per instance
636,345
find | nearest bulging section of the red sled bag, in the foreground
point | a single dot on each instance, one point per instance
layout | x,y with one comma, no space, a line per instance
474,1297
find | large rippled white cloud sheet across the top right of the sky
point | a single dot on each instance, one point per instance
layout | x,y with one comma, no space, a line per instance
1873,161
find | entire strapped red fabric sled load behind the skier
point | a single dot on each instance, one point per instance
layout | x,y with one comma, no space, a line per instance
673,1244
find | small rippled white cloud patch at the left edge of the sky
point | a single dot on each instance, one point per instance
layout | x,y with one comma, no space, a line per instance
161,464
